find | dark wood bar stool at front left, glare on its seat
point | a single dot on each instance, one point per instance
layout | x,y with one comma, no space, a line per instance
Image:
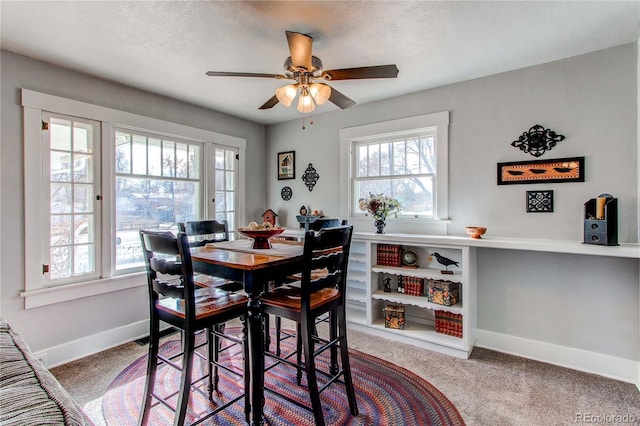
175,300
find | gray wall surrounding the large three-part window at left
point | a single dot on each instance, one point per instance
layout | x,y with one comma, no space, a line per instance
55,324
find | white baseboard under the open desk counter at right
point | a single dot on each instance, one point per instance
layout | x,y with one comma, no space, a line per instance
617,368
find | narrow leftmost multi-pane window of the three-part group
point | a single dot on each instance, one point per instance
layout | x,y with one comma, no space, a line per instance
73,180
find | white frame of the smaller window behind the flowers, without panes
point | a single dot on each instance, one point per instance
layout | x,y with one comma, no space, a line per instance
437,123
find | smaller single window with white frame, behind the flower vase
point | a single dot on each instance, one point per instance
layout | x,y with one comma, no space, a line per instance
405,159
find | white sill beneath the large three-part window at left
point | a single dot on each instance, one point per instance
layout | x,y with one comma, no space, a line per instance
53,295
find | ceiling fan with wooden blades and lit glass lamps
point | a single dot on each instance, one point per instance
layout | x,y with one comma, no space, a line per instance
309,76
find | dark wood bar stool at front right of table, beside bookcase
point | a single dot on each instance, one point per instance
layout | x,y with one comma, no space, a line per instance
321,290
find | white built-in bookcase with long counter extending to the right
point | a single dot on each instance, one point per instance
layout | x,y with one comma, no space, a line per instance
366,299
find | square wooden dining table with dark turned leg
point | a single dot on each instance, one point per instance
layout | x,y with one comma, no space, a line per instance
254,268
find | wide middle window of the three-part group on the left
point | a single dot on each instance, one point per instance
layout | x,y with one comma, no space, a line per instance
157,184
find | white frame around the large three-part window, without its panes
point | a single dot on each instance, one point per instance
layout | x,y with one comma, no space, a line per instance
34,103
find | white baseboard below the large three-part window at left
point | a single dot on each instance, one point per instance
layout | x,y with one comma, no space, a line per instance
76,349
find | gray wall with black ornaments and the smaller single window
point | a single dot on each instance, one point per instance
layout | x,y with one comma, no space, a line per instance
583,302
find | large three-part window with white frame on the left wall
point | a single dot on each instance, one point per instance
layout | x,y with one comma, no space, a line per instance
95,176
